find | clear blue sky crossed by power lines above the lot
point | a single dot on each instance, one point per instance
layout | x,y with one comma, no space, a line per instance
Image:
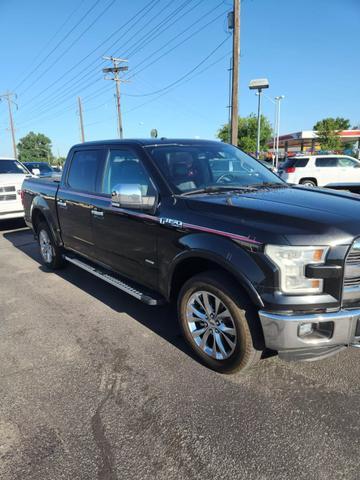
51,52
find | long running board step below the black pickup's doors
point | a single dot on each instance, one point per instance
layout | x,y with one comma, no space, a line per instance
98,272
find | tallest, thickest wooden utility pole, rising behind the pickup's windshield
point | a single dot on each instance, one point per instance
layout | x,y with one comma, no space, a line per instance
235,74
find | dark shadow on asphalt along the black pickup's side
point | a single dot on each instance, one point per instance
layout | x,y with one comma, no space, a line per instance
162,320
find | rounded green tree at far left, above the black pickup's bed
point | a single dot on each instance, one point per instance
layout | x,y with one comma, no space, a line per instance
35,147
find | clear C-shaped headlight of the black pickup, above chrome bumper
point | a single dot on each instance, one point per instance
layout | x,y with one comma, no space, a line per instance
292,262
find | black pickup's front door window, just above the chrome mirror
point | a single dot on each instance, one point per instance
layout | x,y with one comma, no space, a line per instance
125,168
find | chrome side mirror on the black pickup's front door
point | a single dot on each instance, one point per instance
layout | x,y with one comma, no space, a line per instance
130,196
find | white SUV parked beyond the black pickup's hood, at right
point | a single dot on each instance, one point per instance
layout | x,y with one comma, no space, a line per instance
321,170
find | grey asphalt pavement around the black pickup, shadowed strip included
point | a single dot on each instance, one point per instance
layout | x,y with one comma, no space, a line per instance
94,385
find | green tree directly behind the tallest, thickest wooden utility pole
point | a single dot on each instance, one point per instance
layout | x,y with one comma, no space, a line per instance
247,133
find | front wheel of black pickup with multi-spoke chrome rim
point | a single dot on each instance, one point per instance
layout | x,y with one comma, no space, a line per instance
219,323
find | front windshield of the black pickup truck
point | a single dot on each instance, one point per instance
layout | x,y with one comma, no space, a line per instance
208,166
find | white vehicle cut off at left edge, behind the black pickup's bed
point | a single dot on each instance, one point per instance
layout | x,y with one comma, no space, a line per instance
12,174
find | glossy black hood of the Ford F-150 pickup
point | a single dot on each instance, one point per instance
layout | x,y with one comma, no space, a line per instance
293,215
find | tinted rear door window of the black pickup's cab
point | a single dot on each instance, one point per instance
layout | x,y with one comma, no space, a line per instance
83,170
